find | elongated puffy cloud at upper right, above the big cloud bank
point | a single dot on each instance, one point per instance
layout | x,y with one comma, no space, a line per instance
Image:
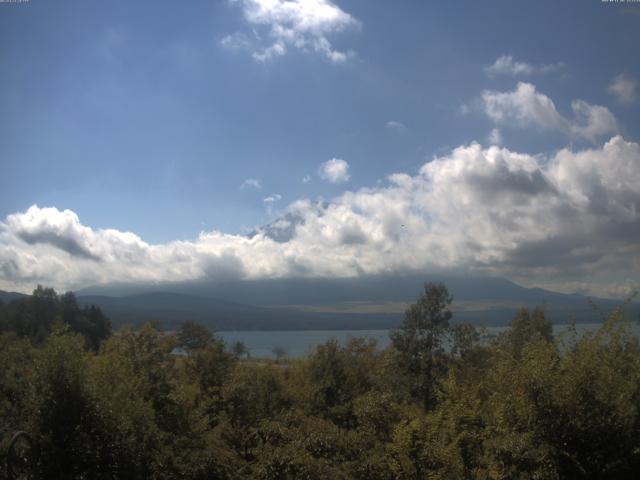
526,107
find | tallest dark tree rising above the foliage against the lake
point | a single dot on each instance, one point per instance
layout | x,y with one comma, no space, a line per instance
419,340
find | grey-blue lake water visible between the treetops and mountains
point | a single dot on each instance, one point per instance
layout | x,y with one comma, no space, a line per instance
301,342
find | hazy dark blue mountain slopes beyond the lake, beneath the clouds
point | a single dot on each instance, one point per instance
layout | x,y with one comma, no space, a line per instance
327,304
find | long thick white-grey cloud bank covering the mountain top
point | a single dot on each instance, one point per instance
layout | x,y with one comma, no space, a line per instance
558,219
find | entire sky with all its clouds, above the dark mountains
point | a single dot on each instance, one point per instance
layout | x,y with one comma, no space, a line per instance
168,141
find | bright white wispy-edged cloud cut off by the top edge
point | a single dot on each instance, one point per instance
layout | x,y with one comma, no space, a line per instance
301,24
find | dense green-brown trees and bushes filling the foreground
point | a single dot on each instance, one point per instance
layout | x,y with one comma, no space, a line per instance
441,402
